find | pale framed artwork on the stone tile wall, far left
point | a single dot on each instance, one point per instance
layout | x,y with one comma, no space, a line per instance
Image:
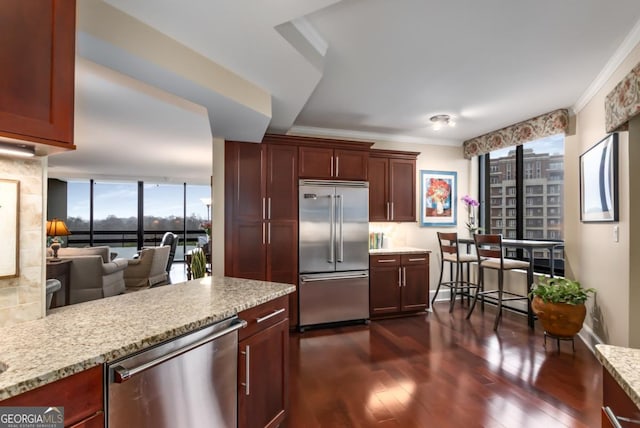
9,227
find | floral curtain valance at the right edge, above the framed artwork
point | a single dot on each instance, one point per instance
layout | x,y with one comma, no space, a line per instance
623,102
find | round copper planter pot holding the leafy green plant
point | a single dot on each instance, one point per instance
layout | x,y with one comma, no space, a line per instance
559,319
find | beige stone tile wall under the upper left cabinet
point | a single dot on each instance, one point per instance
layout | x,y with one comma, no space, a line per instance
22,298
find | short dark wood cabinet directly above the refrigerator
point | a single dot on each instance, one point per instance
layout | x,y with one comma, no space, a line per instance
333,163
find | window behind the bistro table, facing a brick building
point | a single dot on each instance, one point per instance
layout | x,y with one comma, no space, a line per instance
523,193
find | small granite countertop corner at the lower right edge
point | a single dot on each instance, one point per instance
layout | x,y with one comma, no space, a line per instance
624,366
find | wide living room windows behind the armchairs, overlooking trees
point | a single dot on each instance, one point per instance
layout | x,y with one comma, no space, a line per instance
128,215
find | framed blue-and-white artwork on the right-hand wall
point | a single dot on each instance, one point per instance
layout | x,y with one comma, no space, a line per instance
599,181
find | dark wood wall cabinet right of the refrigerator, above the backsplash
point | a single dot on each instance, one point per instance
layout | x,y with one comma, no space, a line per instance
392,185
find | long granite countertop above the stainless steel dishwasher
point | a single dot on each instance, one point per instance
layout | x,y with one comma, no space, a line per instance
77,337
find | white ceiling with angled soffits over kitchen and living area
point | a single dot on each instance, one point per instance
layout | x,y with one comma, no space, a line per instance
373,69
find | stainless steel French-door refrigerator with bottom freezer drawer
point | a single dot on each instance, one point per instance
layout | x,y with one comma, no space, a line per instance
333,251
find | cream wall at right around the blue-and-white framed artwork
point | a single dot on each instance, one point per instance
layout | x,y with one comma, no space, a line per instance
592,255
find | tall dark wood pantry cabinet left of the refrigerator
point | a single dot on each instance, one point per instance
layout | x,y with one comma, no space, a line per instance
261,217
